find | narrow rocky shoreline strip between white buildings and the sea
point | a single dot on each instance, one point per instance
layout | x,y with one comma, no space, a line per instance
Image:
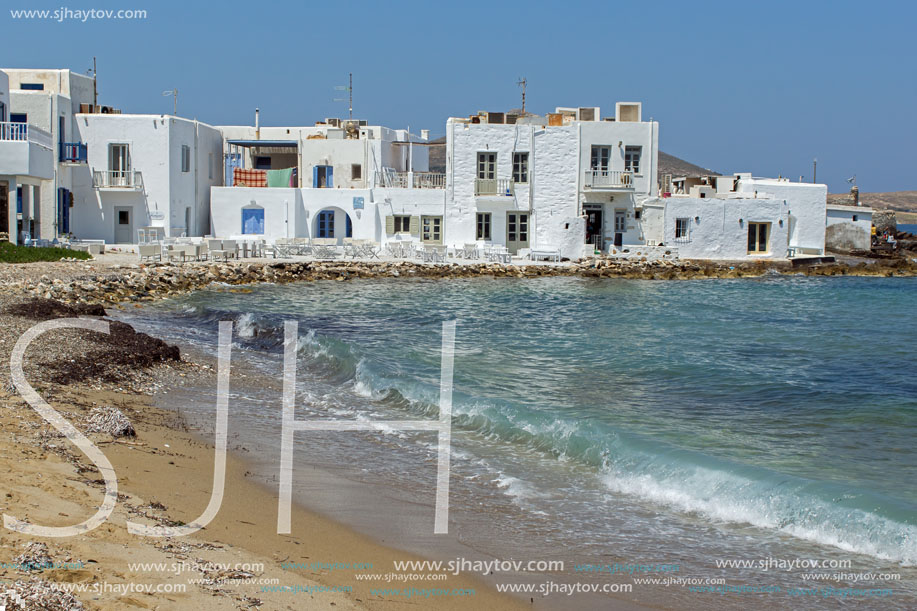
134,282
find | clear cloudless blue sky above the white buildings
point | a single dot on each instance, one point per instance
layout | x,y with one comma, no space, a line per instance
761,87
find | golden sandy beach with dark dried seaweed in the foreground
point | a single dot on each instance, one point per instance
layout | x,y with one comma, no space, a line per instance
165,478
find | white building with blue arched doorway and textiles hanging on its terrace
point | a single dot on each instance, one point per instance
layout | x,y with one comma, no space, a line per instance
351,180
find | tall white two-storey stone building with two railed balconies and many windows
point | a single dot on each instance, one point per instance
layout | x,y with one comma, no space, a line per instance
559,182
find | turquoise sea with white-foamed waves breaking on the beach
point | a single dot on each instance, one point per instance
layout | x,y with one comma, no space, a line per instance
632,421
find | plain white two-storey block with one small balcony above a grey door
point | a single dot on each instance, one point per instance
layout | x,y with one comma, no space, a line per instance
144,173
